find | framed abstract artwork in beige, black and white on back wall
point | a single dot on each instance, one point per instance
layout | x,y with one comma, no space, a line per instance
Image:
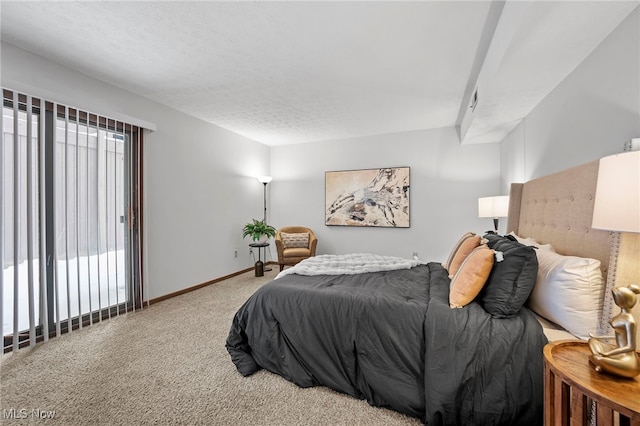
369,197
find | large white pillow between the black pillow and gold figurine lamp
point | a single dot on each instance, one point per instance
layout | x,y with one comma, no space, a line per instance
569,291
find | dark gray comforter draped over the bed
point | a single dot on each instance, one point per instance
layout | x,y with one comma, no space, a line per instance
392,339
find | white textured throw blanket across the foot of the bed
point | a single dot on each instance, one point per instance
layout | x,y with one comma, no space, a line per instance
349,264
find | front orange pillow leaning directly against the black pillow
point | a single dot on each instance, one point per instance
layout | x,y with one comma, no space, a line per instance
471,276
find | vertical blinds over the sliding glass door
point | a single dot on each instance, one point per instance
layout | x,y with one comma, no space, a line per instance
70,213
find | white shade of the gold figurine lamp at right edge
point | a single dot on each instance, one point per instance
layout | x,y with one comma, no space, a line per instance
617,202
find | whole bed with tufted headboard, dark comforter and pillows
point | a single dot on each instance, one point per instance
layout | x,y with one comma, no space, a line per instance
392,334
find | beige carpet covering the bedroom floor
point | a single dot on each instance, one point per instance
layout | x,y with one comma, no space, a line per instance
166,365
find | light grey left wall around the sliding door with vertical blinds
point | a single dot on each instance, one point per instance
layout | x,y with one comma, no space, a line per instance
200,186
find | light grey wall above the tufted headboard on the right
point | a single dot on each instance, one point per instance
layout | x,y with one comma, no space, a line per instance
588,116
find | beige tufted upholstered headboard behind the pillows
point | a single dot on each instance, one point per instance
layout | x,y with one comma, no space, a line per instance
557,209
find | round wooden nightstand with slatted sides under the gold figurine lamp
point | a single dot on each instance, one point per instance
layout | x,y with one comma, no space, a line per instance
571,383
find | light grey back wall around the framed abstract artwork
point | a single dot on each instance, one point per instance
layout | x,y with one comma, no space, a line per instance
446,180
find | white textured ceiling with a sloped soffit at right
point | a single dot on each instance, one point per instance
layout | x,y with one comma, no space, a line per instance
293,72
